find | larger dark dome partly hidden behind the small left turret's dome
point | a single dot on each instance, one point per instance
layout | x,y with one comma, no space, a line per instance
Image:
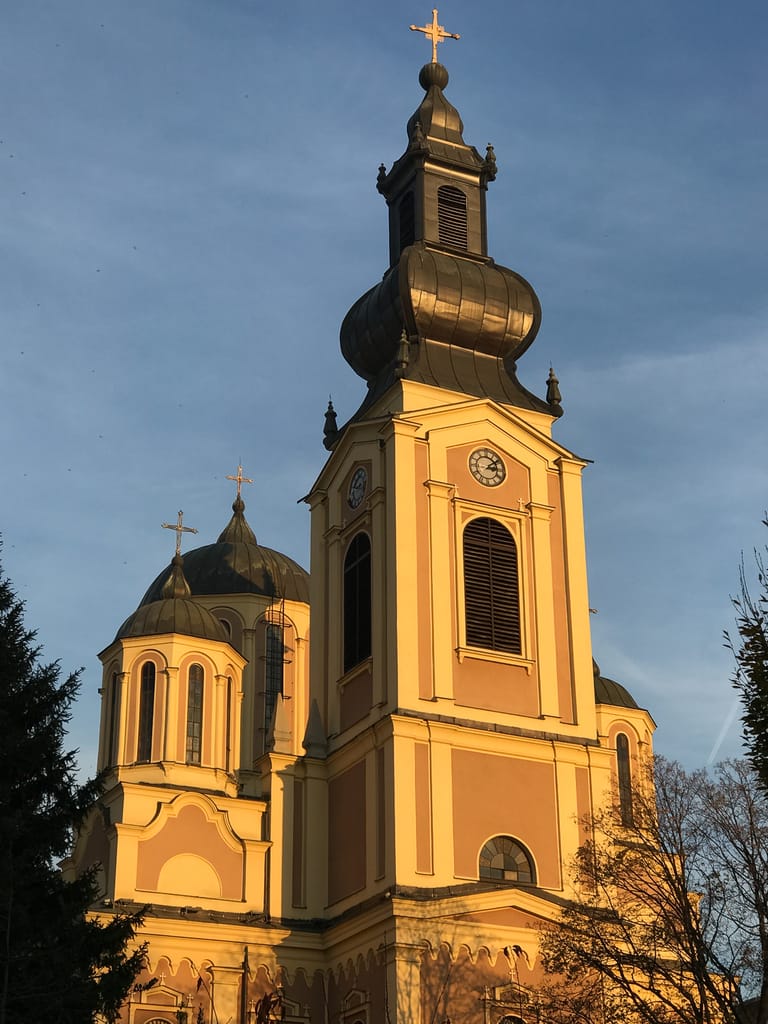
238,565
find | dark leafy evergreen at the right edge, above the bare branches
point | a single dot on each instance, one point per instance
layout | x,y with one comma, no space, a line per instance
751,678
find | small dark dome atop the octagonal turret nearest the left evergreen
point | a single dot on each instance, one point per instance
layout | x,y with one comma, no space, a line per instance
174,612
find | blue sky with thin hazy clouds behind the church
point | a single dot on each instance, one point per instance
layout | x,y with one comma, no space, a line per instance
189,209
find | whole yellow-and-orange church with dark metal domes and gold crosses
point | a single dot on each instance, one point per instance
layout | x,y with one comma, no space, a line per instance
352,795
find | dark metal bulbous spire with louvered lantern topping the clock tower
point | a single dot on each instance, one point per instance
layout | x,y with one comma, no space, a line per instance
466,319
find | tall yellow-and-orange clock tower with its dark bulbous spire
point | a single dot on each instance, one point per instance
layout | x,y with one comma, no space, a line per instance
452,664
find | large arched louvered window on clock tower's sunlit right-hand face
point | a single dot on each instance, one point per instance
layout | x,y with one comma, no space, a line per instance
492,596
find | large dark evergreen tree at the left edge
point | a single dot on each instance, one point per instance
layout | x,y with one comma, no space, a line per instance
57,963
